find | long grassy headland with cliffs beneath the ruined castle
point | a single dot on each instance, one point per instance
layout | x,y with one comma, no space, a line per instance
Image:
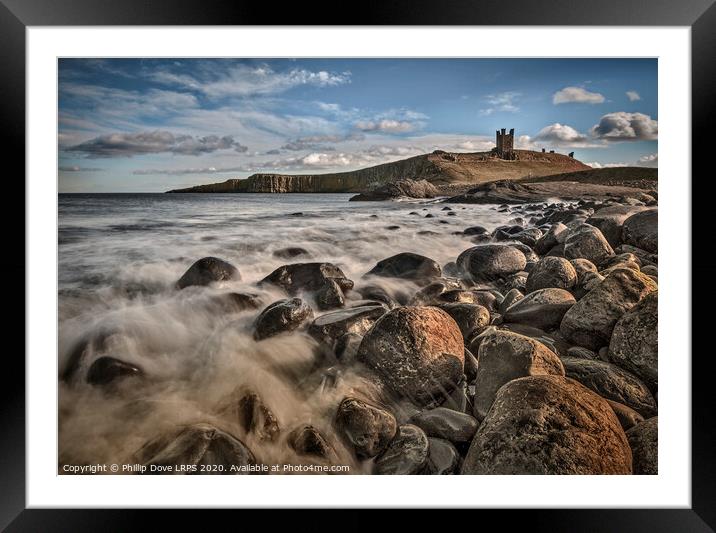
439,168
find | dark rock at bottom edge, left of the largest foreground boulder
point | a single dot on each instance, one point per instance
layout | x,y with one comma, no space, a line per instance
406,454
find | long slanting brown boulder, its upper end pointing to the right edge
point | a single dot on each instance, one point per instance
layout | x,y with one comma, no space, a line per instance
589,323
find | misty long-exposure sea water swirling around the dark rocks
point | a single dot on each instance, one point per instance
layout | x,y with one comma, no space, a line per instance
119,257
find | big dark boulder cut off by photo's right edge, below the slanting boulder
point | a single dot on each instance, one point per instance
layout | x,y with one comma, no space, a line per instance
635,340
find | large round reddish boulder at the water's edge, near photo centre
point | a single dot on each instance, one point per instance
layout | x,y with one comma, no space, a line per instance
418,351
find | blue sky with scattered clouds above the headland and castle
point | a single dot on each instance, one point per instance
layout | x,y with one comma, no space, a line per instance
150,125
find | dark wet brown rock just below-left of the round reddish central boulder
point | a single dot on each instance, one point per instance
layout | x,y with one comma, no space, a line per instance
368,428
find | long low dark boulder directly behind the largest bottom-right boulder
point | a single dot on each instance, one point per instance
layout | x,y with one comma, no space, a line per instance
612,383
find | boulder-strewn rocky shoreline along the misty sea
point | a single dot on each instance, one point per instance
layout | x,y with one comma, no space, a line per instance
533,352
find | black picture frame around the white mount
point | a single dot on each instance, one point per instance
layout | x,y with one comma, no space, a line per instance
17,15
